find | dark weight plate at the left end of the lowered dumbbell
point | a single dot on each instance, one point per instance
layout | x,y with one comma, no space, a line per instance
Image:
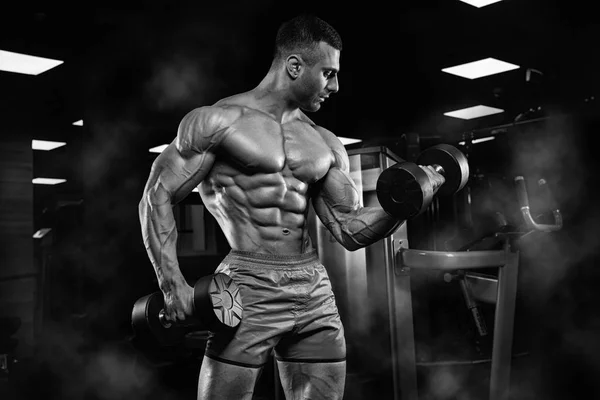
145,321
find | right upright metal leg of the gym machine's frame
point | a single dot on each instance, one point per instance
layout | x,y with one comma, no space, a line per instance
503,327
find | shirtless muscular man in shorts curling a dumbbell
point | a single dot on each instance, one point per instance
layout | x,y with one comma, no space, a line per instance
258,161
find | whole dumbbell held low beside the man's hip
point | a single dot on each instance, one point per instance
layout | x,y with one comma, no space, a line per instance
217,306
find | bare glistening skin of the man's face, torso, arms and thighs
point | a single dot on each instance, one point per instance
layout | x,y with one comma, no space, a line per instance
258,161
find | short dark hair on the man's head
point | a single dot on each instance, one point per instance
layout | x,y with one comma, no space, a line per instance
302,34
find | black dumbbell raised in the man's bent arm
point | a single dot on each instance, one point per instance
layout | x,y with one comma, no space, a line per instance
404,189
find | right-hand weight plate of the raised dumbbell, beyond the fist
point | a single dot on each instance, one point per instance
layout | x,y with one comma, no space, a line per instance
454,162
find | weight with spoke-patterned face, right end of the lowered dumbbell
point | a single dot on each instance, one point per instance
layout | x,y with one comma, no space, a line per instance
217,302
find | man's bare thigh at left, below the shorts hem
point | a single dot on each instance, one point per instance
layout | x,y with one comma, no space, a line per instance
223,381
